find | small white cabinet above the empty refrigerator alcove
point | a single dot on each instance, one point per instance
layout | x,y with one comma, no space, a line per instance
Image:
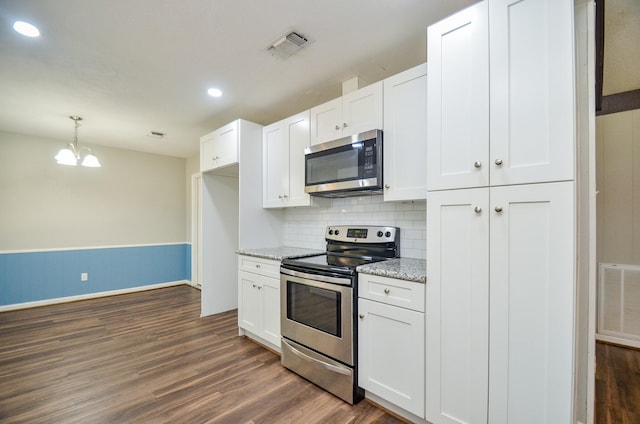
219,149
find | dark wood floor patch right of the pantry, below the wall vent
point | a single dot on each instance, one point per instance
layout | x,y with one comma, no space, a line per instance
617,385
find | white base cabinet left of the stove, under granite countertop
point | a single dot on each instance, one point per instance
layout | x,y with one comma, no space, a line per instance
259,300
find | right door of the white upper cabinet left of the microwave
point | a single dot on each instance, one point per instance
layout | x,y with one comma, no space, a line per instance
297,128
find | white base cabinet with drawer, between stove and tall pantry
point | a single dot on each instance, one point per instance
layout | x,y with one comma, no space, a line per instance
391,341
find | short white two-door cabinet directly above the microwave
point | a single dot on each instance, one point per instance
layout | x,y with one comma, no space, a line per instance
355,112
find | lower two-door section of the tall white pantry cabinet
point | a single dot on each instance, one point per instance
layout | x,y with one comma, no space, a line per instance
500,296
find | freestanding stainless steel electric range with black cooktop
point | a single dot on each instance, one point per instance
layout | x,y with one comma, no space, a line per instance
319,306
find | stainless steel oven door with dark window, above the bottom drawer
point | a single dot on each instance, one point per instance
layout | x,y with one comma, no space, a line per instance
317,312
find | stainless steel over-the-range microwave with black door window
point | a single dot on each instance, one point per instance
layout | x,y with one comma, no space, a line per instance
349,166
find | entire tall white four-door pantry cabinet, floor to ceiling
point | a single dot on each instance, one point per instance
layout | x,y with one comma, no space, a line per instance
501,214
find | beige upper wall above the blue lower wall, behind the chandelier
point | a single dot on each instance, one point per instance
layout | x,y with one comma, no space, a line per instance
135,198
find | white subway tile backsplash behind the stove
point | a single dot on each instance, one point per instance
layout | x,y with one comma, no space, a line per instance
304,227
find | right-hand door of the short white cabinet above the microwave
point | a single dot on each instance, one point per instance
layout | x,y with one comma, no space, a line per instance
362,110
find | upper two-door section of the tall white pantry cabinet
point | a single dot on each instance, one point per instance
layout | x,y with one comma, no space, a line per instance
501,95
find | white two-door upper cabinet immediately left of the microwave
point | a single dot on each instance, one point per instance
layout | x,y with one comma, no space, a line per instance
283,169
